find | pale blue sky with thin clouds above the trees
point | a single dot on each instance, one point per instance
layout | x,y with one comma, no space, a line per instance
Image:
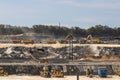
82,13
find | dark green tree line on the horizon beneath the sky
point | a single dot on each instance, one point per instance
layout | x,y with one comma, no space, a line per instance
60,31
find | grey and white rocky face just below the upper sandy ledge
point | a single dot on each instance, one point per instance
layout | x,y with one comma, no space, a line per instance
76,52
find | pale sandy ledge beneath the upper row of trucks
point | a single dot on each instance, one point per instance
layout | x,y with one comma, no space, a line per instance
58,45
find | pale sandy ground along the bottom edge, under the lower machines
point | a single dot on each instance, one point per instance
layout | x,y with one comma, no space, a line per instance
14,77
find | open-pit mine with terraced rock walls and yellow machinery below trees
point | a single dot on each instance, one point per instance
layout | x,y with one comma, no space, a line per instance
65,59
